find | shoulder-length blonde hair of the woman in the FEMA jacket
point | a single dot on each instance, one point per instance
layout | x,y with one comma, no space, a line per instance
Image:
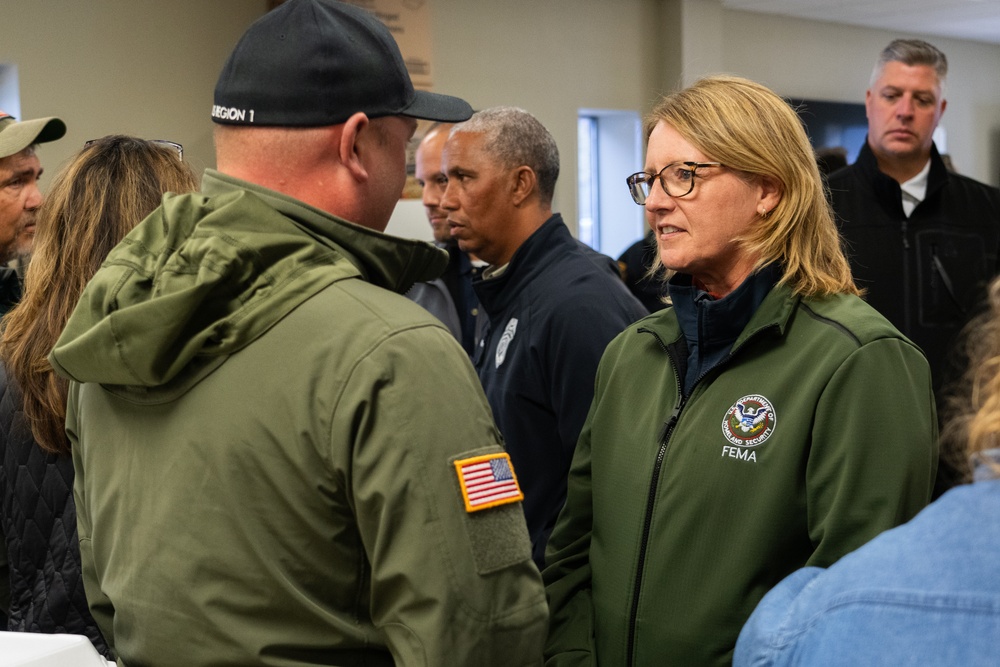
751,130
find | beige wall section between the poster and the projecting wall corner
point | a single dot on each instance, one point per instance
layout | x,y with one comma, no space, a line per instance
551,58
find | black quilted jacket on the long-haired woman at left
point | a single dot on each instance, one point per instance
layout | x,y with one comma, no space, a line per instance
38,527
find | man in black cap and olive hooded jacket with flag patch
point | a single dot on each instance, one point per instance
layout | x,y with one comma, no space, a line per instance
268,471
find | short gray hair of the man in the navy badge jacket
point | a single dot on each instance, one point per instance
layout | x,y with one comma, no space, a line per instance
515,138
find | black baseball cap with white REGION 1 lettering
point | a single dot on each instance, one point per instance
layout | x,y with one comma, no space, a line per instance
310,63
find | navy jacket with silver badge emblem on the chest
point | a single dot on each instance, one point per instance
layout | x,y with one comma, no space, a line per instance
551,314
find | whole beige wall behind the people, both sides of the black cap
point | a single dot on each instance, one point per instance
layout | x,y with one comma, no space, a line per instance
148,67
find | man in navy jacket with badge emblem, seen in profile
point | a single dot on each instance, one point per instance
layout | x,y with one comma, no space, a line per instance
553,305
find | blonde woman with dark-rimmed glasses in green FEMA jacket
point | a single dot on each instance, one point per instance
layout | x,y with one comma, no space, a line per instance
769,419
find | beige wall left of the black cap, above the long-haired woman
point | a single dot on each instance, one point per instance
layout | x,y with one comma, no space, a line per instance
142,67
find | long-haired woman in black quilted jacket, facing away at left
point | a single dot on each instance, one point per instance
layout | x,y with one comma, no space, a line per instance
101,194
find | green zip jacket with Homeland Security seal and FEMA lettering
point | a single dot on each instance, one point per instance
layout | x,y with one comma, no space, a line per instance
680,515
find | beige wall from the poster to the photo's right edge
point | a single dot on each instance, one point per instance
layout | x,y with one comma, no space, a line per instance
555,57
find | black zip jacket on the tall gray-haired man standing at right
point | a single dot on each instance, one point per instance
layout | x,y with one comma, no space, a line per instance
926,273
